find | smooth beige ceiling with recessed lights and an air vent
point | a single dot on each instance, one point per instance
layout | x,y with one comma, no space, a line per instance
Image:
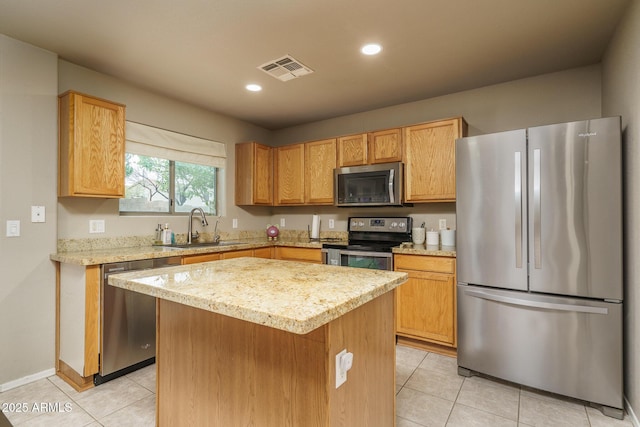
205,51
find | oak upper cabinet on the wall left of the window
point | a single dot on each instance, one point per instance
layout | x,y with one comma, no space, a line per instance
91,146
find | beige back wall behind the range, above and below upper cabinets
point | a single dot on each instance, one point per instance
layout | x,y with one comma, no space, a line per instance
550,98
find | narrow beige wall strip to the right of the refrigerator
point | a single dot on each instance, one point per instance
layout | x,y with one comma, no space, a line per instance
621,96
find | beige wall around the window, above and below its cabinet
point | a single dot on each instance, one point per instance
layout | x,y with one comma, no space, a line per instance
152,109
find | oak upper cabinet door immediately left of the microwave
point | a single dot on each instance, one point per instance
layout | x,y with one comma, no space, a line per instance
319,163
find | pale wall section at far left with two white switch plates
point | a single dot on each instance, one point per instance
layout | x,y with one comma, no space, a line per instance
28,147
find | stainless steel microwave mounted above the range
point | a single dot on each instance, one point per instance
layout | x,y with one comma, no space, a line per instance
369,185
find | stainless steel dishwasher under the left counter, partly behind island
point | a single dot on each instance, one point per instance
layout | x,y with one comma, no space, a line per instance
128,322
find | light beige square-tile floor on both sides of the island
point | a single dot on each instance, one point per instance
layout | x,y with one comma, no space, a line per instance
429,393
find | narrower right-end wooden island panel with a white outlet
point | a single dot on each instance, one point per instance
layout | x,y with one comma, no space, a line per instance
367,398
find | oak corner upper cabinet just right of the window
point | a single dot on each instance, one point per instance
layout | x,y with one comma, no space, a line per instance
254,174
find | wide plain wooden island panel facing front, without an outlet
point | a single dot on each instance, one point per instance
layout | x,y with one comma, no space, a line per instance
216,370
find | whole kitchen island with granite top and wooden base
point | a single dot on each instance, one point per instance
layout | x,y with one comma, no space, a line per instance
251,341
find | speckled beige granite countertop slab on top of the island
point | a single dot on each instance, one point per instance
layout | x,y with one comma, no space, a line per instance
291,296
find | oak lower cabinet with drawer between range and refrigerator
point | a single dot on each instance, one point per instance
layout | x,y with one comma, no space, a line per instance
426,303
